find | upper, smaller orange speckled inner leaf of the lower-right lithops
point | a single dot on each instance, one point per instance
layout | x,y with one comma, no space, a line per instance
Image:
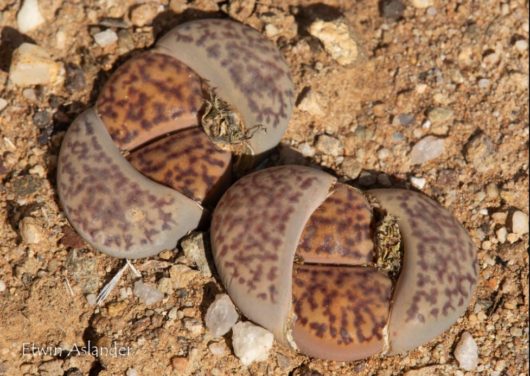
339,231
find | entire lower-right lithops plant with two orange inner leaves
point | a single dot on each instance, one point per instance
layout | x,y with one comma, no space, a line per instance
340,274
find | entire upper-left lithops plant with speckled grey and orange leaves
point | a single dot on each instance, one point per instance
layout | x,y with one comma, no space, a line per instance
166,133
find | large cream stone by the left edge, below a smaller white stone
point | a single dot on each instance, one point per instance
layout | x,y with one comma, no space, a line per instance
32,65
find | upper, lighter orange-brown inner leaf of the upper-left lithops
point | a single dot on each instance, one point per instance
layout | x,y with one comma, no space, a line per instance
148,96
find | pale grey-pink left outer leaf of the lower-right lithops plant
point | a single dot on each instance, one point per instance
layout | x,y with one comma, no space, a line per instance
255,230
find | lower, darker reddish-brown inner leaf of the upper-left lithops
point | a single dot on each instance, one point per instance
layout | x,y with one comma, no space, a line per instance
188,162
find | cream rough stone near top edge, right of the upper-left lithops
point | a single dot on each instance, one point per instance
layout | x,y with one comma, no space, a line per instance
337,40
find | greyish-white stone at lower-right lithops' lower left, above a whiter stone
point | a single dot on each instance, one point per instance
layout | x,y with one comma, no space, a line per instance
221,316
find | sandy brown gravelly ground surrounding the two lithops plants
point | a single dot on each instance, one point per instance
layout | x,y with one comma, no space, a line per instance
421,93
